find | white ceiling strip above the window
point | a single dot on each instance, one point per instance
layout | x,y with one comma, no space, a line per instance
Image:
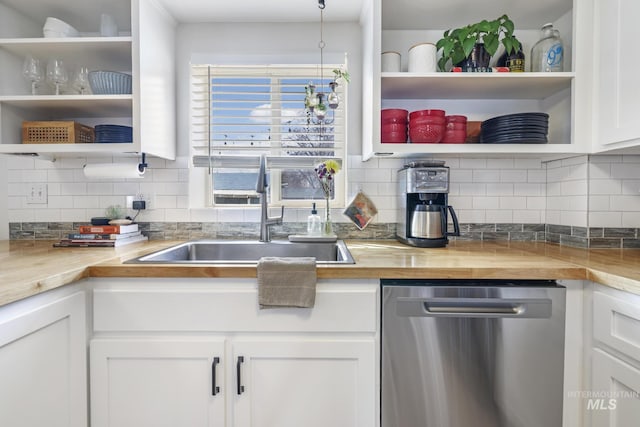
194,11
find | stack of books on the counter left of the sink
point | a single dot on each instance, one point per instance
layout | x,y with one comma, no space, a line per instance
103,236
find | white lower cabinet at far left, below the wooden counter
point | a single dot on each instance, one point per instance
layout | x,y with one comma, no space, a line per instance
43,366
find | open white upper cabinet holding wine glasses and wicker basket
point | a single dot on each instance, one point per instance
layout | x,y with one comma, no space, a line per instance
144,48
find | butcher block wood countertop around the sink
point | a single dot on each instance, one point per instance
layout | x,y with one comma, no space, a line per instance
31,267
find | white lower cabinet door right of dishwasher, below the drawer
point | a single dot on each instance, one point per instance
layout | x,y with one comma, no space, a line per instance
616,392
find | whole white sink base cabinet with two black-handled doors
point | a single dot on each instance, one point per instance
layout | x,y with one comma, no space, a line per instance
284,367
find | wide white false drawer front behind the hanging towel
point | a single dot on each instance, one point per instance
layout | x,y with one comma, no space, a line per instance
228,306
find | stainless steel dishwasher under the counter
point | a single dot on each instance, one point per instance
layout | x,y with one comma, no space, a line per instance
481,353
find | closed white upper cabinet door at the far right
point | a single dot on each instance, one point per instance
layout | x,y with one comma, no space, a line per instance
616,107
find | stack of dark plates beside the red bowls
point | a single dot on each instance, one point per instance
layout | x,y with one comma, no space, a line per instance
521,128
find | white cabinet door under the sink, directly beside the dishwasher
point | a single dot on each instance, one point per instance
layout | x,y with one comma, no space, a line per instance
302,382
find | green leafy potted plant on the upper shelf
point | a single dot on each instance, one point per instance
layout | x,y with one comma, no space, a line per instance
472,41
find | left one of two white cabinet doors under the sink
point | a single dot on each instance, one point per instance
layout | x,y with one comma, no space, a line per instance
157,383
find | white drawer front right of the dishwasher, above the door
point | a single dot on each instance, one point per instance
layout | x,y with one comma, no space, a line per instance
616,323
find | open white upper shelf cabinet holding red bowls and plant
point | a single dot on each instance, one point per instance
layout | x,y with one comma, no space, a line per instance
398,24
